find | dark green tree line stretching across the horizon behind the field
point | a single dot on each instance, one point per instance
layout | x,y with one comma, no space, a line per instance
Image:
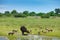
14,13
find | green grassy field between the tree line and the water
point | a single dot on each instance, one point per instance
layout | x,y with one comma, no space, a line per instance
9,23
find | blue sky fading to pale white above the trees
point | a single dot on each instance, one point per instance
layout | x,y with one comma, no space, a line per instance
30,5
